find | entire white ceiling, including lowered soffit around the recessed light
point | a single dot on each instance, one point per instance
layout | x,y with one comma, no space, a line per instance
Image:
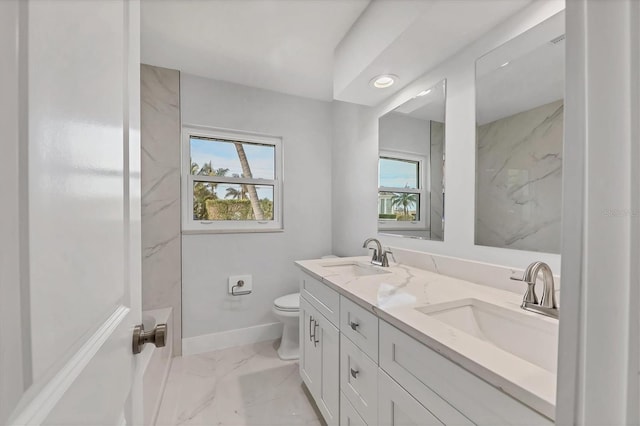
321,49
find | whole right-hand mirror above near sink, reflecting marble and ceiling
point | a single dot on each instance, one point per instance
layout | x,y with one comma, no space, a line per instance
519,136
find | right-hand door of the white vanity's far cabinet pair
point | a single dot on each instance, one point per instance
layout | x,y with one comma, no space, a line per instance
328,346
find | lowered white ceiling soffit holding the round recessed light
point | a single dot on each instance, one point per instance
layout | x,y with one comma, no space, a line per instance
407,38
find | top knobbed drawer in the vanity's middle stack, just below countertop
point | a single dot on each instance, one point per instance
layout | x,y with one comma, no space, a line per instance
360,326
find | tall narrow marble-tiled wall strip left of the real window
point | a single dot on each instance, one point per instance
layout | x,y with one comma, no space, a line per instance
161,240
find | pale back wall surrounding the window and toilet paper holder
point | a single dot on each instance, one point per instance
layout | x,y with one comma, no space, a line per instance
208,259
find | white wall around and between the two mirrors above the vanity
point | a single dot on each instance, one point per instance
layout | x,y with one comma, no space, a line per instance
355,149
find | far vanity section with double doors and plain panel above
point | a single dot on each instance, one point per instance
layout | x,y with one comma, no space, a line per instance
320,350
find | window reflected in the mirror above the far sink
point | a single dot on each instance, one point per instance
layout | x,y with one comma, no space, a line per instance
402,200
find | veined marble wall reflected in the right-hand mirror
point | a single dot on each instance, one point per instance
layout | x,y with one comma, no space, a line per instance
519,180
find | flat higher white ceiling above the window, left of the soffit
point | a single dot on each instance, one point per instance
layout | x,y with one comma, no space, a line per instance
281,45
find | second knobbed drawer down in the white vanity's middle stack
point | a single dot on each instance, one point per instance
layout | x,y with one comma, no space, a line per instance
359,380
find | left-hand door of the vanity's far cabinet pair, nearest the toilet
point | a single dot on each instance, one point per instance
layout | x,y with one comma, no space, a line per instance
309,352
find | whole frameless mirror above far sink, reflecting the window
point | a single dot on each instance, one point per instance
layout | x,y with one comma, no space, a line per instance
411,166
